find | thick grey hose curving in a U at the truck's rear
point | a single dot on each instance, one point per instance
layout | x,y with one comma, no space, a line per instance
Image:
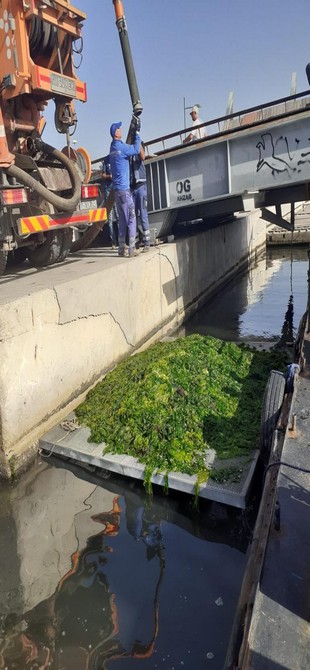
61,204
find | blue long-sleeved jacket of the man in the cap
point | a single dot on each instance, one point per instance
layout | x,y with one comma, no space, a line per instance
120,153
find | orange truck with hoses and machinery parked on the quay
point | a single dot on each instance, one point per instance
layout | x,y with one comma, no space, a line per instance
45,193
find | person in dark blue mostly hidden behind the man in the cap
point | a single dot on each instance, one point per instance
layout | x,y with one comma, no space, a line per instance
139,194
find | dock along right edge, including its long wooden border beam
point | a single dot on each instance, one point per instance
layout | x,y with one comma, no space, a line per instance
271,630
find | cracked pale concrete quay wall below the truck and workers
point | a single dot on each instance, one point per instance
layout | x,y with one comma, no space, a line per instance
59,340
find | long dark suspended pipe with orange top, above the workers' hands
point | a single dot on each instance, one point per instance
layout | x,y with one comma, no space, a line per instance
130,72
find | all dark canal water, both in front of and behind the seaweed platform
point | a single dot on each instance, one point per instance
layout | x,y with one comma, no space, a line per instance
95,574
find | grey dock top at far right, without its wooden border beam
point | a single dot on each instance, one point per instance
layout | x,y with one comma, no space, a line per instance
279,635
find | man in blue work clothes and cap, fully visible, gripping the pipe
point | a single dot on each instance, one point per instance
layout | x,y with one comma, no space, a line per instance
120,153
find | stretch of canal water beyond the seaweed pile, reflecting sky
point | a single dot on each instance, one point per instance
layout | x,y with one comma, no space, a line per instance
254,306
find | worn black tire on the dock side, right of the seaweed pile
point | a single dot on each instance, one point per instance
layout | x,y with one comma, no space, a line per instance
272,403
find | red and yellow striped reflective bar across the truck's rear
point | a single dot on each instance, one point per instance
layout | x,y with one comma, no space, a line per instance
37,224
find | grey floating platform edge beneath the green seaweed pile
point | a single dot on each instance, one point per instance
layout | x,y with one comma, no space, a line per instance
71,441
